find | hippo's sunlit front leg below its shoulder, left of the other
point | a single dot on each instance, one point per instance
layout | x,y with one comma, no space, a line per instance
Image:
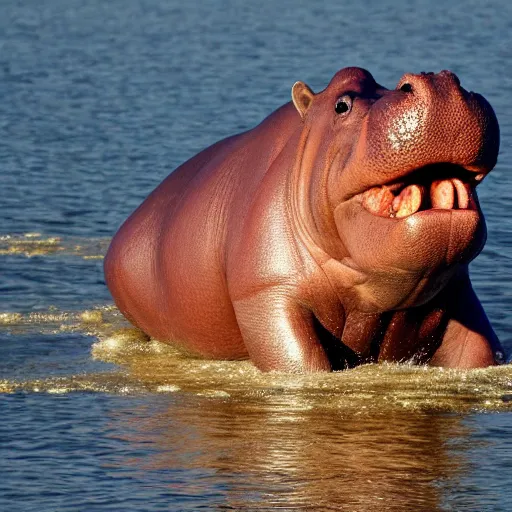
279,333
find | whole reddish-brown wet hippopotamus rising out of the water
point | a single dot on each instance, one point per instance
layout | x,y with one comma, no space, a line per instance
337,232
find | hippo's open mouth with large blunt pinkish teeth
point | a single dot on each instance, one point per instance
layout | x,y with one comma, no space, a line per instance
438,186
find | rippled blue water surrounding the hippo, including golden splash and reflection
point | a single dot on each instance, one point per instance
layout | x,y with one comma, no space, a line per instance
99,102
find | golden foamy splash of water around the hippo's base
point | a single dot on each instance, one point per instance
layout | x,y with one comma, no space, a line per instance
148,366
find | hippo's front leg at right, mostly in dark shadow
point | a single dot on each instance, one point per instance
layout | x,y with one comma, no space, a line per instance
469,340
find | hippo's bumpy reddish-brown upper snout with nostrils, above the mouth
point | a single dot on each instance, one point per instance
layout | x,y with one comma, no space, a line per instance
432,119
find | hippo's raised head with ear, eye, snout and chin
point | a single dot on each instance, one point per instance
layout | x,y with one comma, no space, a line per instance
396,171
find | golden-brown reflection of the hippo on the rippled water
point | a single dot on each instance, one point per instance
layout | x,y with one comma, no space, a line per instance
278,452
